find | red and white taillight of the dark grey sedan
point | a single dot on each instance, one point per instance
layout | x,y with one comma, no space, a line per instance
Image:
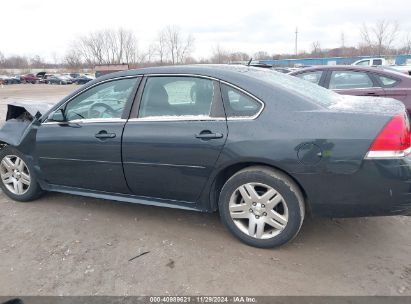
394,139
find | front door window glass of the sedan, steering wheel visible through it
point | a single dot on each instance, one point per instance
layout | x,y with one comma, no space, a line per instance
103,101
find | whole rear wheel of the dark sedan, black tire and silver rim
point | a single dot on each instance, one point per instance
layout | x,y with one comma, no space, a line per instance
262,207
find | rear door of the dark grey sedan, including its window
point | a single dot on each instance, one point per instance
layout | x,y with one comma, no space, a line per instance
174,138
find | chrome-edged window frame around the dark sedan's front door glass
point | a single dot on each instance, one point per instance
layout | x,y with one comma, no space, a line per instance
95,120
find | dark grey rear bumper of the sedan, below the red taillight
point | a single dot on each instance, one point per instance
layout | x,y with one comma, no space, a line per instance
378,188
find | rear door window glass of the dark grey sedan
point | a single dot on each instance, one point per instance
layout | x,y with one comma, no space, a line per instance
177,97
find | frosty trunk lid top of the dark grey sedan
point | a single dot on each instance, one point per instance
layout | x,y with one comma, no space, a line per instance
365,104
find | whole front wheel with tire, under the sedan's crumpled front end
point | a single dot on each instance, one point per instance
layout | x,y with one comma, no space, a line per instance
22,172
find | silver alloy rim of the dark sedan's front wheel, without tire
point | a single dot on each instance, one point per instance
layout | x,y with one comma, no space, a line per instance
15,174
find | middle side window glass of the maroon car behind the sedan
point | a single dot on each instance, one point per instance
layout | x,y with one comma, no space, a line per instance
350,80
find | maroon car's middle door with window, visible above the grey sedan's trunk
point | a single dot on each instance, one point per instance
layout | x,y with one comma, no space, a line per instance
350,82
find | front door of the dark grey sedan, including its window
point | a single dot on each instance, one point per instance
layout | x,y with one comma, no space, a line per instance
80,144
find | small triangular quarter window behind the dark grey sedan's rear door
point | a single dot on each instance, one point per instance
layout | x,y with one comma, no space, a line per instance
239,104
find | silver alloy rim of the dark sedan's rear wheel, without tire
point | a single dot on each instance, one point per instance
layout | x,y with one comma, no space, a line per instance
258,210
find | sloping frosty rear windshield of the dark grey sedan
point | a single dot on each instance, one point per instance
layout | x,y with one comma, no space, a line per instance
313,92
